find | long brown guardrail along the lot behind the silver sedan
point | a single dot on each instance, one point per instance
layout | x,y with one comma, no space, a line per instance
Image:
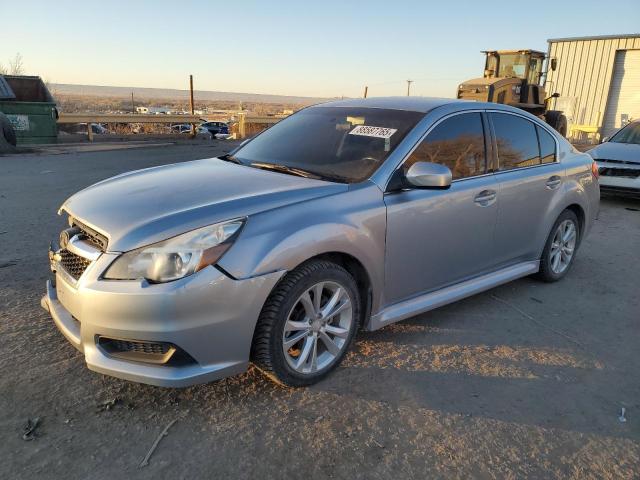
245,122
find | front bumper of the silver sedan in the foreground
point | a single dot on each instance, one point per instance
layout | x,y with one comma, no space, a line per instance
208,315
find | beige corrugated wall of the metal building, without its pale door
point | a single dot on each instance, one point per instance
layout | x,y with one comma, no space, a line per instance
583,75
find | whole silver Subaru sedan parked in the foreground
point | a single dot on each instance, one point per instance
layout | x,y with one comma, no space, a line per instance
348,214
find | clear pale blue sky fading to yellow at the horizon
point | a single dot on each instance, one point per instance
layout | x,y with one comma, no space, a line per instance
320,48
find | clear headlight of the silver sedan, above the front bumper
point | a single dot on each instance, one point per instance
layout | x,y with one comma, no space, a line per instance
176,257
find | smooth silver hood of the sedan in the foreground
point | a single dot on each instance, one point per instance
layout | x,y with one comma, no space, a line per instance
146,206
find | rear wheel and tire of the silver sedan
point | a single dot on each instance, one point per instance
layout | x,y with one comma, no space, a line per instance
554,264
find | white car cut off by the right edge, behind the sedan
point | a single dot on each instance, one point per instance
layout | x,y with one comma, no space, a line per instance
618,160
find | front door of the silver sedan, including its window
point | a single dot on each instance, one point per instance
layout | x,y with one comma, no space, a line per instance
439,237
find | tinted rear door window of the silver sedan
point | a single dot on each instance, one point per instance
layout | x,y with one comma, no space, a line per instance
517,141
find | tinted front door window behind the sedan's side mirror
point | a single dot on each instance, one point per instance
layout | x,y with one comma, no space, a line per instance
458,143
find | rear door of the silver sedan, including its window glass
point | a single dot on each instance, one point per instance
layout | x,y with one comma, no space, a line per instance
530,182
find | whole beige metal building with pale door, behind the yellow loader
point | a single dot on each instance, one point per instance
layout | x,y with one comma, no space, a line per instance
598,79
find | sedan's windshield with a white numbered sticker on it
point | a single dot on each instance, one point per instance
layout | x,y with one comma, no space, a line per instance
334,143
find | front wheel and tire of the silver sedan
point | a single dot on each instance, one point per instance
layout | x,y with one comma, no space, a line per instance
285,308
